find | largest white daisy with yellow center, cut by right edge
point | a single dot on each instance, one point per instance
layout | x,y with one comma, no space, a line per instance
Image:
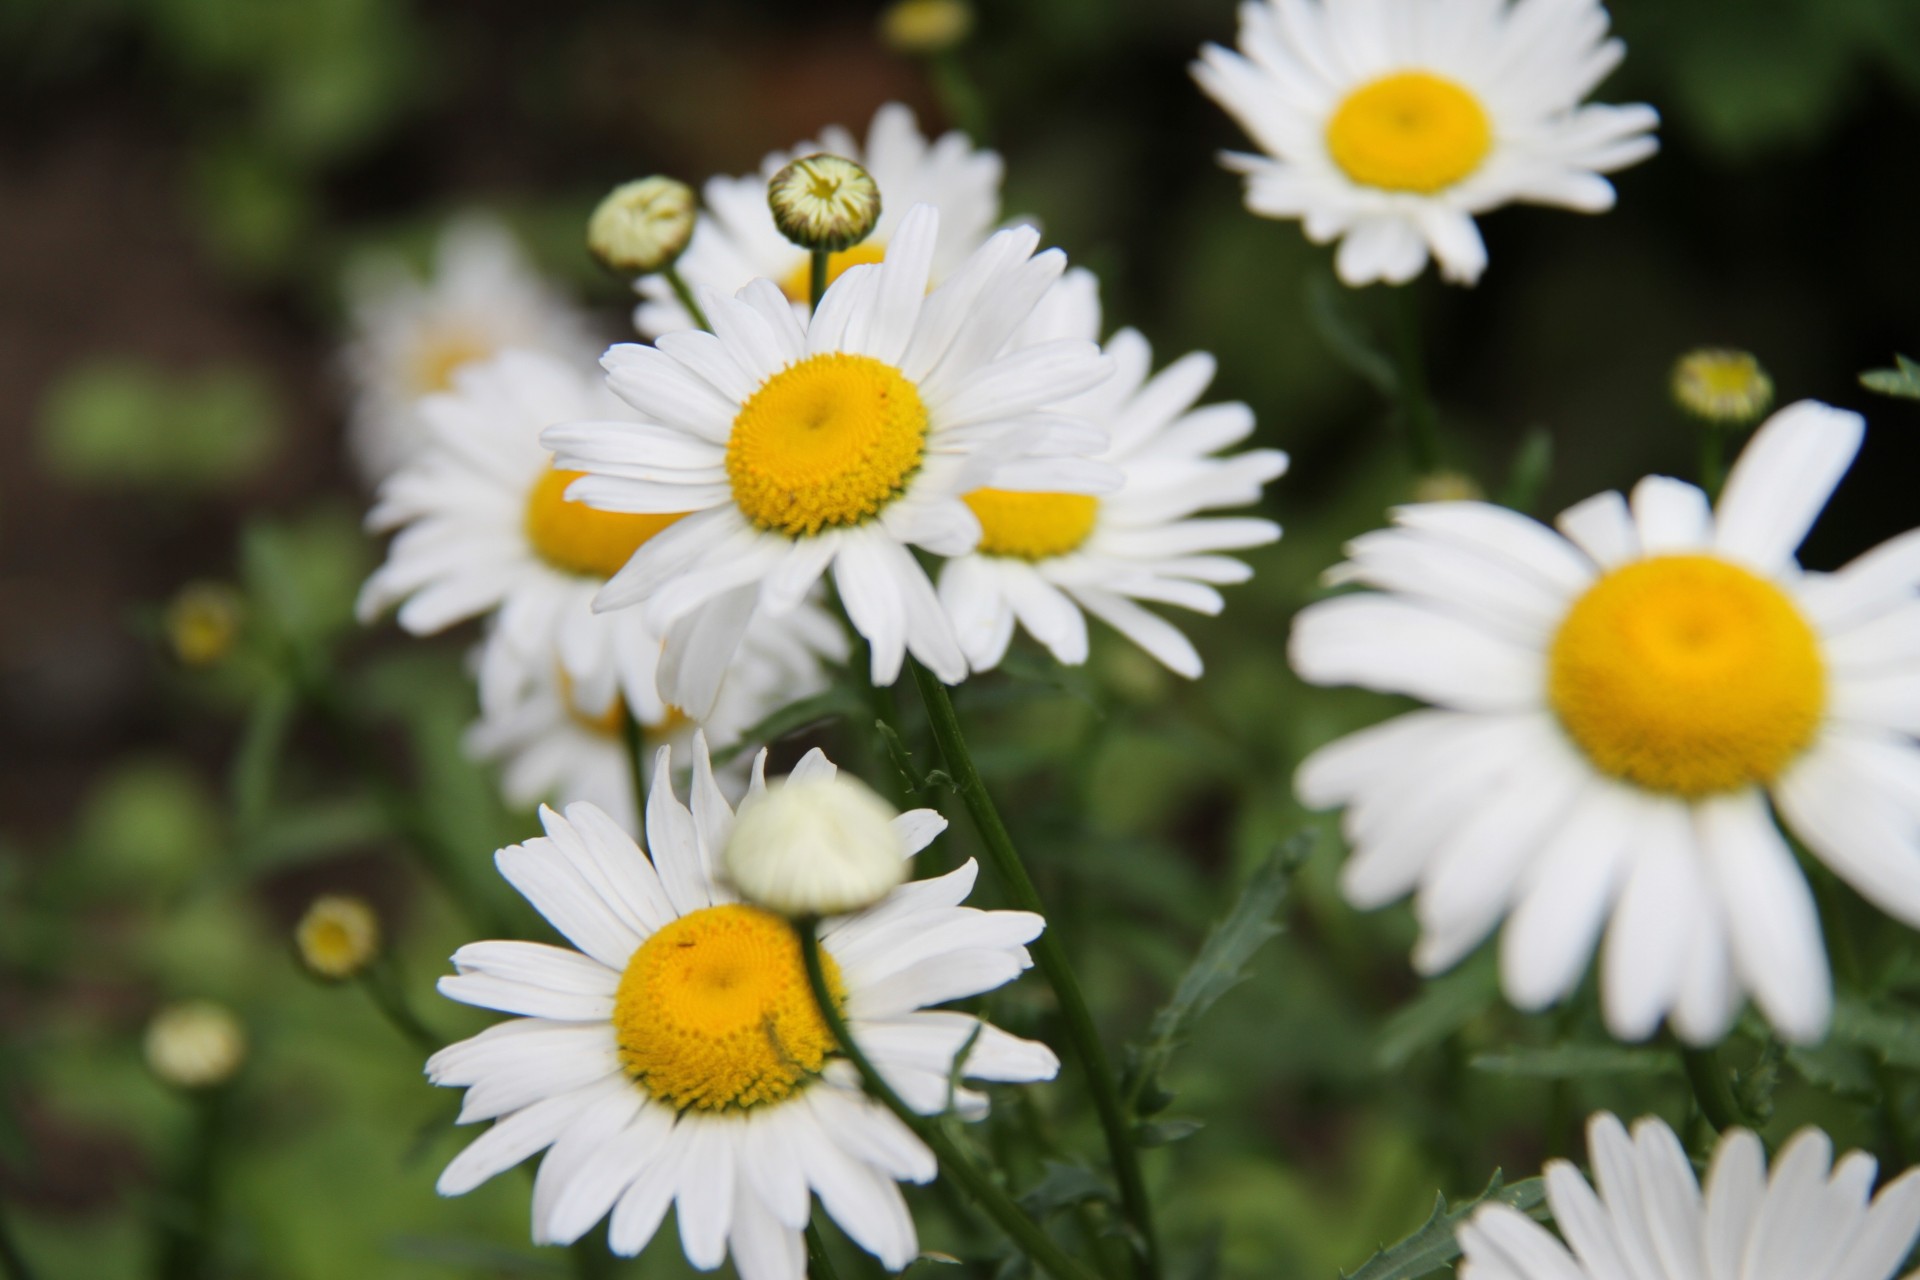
1616,709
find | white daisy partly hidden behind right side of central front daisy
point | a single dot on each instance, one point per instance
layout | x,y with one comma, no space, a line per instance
1045,557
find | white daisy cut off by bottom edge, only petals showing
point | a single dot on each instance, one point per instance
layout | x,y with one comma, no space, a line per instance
1652,1221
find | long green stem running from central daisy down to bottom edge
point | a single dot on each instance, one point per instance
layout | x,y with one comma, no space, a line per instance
1053,960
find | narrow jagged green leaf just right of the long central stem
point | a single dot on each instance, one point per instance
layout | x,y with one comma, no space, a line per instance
1216,970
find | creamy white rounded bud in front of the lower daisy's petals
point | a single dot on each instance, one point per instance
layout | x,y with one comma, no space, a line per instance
815,847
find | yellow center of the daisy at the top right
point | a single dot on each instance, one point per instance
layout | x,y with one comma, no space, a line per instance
1410,131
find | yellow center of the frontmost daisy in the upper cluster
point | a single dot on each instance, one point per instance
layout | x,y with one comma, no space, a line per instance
827,442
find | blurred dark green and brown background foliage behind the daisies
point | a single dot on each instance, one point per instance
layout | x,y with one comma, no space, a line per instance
181,185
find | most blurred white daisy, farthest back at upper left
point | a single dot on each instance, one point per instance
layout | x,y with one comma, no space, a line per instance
410,335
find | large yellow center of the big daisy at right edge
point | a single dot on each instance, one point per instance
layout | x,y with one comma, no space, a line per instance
1687,675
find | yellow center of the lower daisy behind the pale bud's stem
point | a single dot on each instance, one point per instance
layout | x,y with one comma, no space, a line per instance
715,1012
